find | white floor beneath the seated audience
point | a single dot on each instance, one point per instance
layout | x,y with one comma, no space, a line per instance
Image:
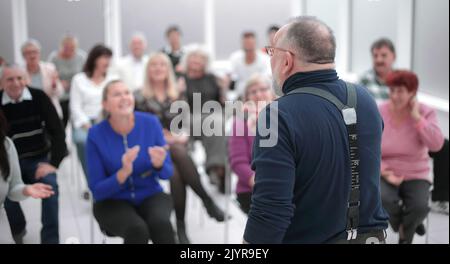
77,224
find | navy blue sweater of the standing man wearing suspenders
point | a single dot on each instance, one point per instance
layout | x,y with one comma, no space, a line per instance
302,183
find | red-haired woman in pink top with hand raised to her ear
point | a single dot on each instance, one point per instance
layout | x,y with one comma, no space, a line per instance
410,131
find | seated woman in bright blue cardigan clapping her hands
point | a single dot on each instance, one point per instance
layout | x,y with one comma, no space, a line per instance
126,155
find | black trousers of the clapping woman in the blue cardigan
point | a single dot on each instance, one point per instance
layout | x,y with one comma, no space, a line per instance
137,224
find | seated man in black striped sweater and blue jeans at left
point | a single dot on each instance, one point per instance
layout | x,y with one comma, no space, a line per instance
39,137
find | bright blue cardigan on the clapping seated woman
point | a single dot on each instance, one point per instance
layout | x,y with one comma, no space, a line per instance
104,152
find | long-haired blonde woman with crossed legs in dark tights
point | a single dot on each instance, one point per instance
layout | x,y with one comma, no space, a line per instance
156,96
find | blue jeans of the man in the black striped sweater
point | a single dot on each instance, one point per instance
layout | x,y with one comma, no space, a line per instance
49,216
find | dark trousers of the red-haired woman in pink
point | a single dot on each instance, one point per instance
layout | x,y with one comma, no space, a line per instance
407,205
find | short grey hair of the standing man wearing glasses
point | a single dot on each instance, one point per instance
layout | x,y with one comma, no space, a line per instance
312,39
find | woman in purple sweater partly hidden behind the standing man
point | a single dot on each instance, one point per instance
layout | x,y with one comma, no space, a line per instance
258,94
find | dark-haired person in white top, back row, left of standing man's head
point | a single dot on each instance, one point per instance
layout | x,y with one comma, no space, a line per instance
248,61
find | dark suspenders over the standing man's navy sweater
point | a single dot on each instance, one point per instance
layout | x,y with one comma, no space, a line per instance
349,115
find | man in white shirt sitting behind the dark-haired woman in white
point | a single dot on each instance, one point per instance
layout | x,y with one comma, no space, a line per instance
131,68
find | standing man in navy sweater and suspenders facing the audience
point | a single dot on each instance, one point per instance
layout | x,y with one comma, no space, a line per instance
303,189
